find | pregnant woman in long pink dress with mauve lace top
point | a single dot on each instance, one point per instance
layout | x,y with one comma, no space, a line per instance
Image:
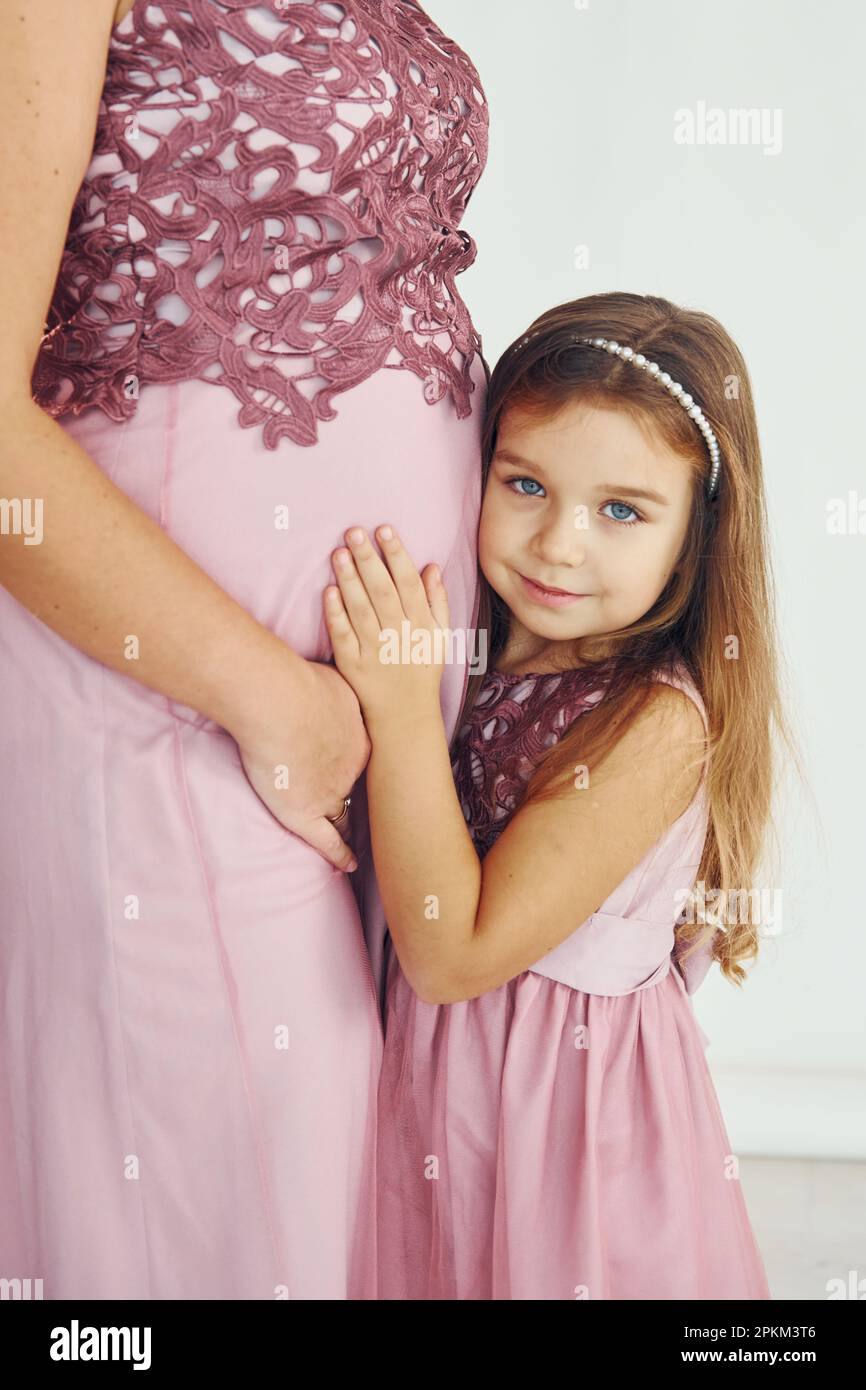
229,256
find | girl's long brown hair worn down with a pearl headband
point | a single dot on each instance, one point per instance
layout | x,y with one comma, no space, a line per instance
717,614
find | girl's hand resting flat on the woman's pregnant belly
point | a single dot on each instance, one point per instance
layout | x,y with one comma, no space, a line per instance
386,626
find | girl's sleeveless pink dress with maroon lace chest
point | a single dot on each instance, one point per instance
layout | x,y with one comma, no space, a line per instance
561,1136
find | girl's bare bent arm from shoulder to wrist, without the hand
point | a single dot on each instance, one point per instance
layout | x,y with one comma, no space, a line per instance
462,926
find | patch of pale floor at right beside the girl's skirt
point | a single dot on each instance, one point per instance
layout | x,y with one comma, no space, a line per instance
810,1221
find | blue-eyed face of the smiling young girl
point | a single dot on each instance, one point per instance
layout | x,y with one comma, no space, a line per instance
566,505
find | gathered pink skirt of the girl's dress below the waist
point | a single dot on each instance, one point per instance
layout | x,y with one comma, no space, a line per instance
543,1143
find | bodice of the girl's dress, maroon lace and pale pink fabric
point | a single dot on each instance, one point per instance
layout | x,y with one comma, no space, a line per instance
629,943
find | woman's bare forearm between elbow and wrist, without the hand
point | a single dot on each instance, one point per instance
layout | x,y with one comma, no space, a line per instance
105,571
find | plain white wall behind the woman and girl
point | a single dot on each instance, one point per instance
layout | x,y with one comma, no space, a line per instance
583,106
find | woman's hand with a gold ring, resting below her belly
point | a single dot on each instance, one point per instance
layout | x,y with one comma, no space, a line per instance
315,751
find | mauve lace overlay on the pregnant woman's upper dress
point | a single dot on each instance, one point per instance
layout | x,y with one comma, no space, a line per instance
273,205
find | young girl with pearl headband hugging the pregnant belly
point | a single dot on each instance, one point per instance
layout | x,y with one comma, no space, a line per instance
548,1124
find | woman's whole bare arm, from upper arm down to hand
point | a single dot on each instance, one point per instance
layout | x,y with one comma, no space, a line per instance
105,569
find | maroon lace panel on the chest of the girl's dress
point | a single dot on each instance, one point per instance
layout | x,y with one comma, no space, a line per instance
512,725
